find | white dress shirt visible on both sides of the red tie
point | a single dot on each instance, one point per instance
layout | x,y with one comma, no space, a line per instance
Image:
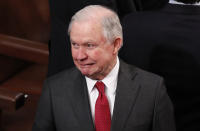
110,82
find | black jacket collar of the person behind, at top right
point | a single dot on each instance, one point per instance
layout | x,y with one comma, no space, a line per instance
182,9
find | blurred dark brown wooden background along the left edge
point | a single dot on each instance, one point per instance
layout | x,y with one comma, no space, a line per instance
24,37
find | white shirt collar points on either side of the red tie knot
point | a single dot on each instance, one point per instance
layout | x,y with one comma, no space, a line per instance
110,80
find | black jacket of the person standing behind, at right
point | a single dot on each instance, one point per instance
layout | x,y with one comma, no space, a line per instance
167,43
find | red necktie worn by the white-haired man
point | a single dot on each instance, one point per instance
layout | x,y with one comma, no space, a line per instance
102,111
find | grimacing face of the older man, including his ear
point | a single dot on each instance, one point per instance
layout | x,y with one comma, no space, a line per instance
91,53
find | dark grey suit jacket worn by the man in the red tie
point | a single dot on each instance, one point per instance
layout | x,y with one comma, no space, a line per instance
141,103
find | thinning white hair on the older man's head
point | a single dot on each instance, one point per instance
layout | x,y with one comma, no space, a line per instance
109,20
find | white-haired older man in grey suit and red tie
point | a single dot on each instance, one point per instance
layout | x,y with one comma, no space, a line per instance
103,93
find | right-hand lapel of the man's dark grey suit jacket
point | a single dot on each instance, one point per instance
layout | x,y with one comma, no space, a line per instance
126,94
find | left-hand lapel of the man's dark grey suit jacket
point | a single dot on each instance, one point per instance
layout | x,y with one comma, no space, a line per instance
80,102
